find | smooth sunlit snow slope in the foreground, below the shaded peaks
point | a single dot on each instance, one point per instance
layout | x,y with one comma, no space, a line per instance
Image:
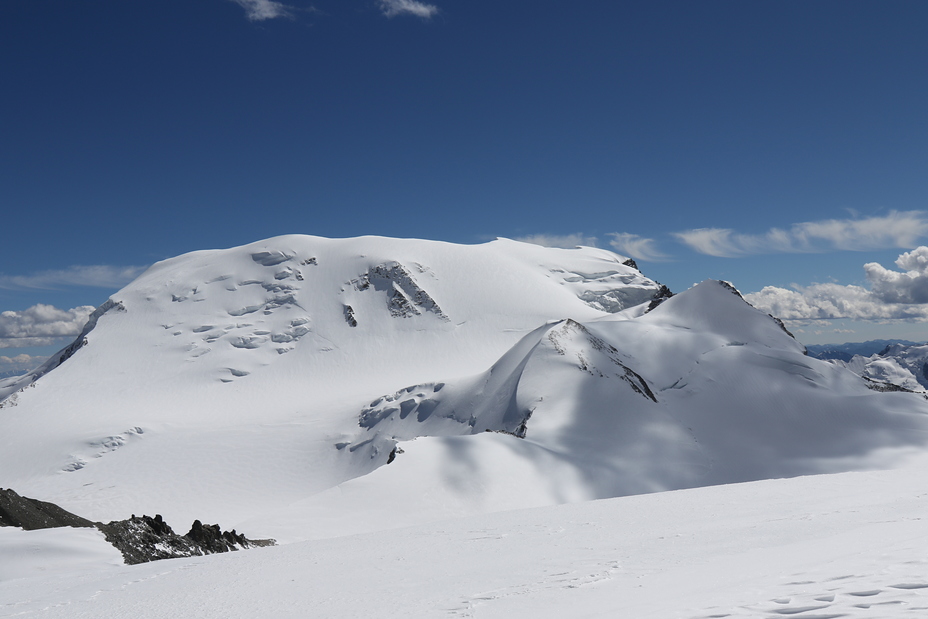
844,545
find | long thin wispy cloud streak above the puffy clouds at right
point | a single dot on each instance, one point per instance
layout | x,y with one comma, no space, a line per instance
897,229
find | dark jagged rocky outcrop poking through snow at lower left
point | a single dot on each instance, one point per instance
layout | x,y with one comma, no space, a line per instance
140,539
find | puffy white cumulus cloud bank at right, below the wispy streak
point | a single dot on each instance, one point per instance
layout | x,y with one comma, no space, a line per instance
893,295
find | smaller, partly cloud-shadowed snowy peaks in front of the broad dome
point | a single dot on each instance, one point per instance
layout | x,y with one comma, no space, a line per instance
702,390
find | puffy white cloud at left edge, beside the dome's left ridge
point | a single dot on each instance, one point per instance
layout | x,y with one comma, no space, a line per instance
41,325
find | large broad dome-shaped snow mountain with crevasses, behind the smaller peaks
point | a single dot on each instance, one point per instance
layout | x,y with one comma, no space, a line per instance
216,384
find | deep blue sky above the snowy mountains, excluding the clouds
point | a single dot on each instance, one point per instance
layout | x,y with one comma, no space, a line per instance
135,131
